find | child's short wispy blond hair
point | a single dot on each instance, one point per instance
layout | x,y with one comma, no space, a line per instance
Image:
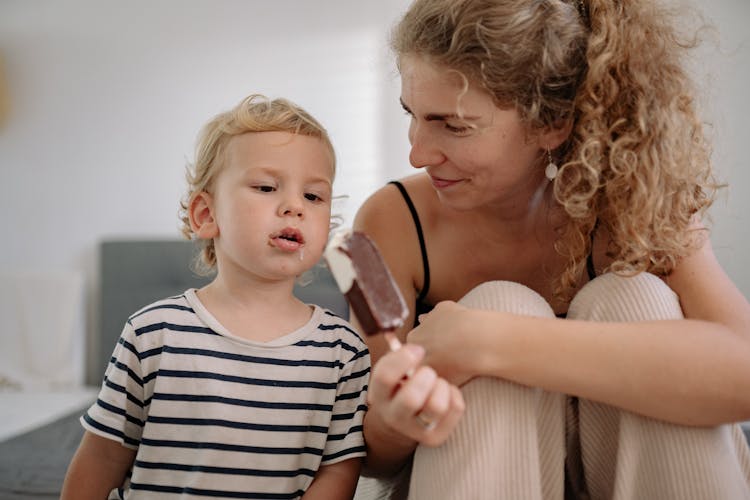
255,113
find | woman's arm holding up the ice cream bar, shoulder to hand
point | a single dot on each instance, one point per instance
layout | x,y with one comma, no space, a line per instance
399,387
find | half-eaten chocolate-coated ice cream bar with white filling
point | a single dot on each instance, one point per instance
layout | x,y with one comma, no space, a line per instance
366,282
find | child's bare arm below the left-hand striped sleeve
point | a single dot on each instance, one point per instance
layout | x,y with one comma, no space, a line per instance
99,465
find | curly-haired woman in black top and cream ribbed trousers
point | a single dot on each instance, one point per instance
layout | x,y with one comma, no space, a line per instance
600,349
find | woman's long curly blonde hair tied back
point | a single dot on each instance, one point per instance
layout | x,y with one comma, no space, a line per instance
637,161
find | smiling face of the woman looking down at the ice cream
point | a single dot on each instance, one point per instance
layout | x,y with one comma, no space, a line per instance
474,152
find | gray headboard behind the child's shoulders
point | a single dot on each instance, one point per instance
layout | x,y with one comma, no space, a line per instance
134,273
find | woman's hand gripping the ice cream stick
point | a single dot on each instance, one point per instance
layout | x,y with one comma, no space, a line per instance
411,399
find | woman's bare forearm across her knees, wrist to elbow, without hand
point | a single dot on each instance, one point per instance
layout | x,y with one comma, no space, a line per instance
684,371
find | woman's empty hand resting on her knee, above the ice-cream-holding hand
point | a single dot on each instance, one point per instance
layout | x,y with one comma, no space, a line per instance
449,350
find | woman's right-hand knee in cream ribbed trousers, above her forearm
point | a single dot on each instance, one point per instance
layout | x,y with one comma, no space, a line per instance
611,297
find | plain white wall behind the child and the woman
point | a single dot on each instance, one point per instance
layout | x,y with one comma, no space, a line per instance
107,98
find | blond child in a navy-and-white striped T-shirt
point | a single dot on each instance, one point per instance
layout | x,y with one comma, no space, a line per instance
237,390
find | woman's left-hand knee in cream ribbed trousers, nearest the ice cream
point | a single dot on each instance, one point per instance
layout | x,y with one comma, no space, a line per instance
507,296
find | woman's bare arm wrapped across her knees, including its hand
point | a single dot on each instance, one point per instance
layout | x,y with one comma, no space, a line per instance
692,372
